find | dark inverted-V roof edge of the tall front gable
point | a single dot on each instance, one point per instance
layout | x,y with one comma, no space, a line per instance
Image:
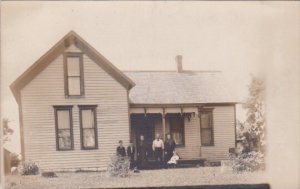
60,47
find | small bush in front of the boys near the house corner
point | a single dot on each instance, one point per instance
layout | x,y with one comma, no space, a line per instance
119,166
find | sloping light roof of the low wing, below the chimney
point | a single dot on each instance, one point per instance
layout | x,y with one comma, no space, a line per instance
171,87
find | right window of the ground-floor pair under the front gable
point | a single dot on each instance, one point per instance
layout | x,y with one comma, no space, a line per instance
88,127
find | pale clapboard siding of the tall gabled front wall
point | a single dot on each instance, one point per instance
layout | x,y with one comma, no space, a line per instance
46,90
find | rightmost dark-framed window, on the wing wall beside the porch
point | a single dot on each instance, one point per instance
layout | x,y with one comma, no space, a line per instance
206,124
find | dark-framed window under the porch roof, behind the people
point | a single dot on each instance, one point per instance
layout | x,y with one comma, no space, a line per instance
176,123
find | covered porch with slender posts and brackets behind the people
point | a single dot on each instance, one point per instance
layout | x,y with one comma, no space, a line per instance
182,123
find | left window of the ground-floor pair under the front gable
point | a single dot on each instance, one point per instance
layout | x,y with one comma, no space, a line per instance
63,125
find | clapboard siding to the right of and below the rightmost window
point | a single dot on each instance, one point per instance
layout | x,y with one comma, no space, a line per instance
224,133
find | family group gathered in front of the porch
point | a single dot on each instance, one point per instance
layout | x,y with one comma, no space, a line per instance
163,151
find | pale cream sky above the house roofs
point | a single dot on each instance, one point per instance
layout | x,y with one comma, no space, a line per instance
223,36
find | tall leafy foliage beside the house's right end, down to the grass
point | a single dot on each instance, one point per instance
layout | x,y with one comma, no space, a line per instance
252,130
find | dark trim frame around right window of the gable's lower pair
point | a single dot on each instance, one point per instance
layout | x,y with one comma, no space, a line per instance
94,109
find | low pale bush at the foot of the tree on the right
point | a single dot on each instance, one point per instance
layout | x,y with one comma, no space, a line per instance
251,161
